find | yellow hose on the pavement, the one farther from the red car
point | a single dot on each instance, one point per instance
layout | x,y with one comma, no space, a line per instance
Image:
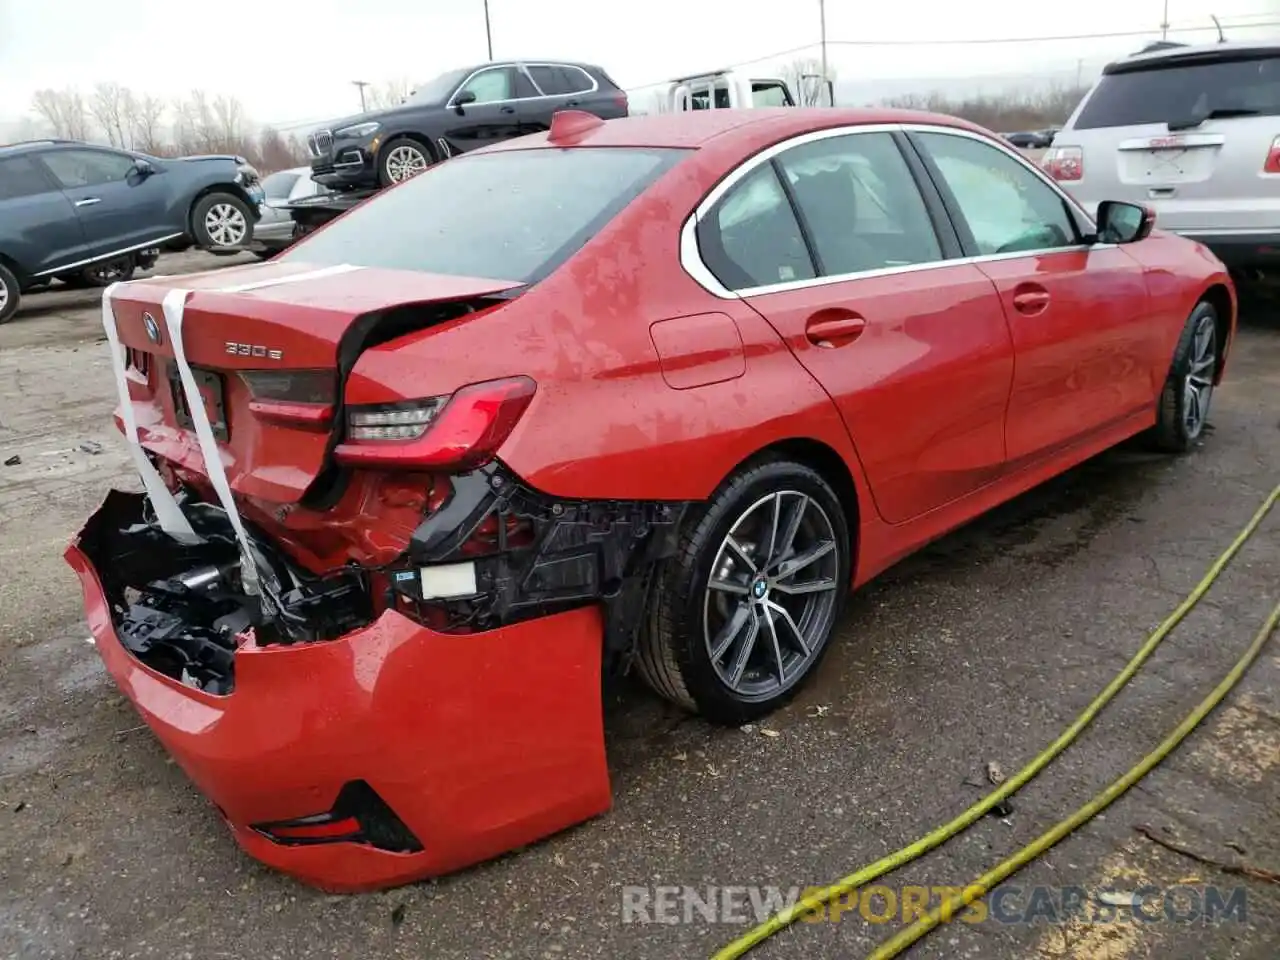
979,889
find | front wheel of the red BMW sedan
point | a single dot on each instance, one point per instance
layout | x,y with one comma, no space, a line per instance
1185,404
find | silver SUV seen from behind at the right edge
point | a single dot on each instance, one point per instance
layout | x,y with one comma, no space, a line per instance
1192,132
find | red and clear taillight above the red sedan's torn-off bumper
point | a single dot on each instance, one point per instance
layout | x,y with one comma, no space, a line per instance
460,432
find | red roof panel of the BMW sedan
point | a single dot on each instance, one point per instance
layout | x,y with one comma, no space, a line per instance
694,129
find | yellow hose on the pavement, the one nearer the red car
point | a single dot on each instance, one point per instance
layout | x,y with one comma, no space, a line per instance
913,852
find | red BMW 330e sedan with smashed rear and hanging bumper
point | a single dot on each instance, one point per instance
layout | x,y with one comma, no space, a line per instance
651,394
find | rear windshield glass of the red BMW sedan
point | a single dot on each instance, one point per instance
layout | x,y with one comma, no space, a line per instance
513,216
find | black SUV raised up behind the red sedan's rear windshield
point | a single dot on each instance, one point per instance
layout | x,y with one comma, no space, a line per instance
455,113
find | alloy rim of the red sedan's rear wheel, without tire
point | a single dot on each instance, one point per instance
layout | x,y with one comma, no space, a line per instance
771,597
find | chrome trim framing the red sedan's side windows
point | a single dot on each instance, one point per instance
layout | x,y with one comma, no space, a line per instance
692,260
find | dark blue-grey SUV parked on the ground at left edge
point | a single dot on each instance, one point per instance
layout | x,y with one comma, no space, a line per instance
88,216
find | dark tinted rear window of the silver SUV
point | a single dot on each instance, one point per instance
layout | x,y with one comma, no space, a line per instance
1185,93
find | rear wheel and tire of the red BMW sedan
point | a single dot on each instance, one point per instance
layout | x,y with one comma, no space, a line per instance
744,614
